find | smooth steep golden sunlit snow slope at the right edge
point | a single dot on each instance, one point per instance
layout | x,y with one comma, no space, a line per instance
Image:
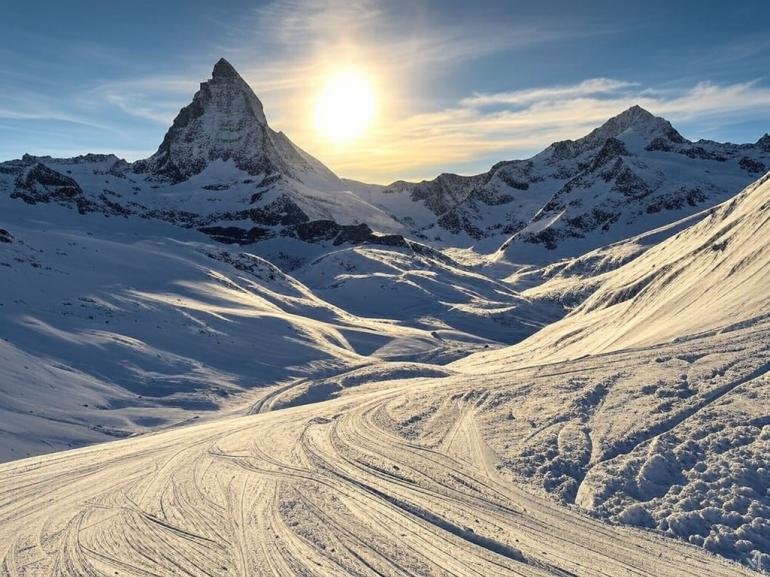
709,276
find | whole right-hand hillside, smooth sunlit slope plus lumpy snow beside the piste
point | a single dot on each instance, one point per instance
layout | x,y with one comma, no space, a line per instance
652,396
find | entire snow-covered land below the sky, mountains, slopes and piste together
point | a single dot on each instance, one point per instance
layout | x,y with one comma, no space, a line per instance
357,381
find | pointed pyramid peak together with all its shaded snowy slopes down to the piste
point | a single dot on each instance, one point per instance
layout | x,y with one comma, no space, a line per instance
170,320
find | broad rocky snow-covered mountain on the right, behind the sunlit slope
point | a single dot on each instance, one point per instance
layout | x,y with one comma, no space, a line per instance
632,174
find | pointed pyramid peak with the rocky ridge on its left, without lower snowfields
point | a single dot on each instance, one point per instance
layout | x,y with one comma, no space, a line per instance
220,169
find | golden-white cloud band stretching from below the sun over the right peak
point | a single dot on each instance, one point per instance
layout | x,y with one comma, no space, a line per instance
422,144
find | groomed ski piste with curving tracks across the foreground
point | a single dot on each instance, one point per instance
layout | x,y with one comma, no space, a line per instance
345,487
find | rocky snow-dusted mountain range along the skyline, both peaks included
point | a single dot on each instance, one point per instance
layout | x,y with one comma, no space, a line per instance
221,169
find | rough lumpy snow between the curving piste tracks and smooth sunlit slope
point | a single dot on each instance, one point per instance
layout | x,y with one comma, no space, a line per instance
672,438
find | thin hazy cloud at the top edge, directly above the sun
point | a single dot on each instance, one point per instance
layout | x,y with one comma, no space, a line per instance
297,41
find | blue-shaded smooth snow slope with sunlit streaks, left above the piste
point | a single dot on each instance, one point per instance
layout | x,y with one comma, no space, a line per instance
112,326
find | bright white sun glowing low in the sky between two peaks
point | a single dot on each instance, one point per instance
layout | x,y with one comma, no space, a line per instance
345,107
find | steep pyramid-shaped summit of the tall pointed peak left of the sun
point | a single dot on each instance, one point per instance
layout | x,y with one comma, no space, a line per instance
225,121
